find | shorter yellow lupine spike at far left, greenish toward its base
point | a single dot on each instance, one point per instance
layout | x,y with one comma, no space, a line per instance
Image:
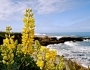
7,47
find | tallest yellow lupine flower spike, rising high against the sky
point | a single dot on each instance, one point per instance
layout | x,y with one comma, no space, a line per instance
28,31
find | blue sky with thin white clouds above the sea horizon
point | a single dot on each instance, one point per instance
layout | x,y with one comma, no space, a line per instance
51,16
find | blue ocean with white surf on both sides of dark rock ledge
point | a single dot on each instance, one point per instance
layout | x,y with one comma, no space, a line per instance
76,51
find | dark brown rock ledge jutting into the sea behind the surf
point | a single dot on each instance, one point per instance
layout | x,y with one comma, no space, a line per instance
46,40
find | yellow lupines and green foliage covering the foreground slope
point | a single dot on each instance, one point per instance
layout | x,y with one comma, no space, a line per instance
21,51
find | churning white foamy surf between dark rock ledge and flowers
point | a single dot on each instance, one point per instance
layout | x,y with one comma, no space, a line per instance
74,50
